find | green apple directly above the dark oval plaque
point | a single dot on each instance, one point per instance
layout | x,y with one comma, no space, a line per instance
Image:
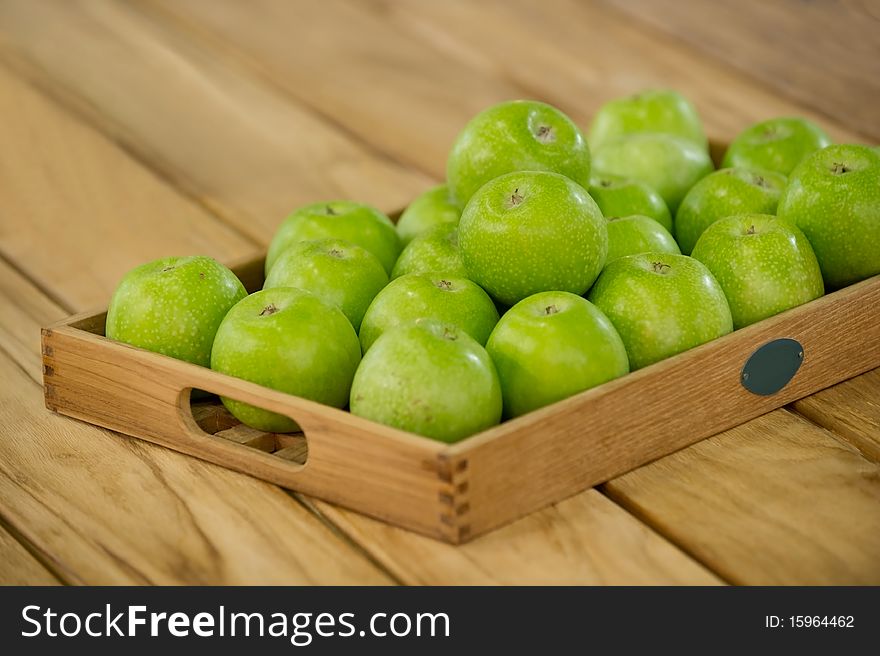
764,265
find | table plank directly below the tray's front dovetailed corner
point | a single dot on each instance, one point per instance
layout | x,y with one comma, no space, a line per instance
584,540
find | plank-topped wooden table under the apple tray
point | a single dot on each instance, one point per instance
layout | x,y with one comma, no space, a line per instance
132,131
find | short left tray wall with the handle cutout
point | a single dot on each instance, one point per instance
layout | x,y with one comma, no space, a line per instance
394,476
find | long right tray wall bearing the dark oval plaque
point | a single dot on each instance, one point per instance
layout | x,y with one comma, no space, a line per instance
560,450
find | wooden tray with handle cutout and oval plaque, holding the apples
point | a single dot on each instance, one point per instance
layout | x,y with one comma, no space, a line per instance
454,492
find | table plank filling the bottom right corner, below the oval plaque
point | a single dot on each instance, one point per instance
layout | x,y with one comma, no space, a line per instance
775,501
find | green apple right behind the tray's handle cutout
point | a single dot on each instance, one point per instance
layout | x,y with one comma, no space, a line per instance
290,340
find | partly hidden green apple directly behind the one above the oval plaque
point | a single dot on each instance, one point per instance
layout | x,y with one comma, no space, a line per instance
724,193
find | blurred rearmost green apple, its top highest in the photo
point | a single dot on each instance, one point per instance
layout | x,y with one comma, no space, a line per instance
661,110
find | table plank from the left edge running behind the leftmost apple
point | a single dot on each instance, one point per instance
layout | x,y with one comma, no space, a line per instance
55,172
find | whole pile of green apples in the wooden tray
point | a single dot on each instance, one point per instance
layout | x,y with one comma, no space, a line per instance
548,263
